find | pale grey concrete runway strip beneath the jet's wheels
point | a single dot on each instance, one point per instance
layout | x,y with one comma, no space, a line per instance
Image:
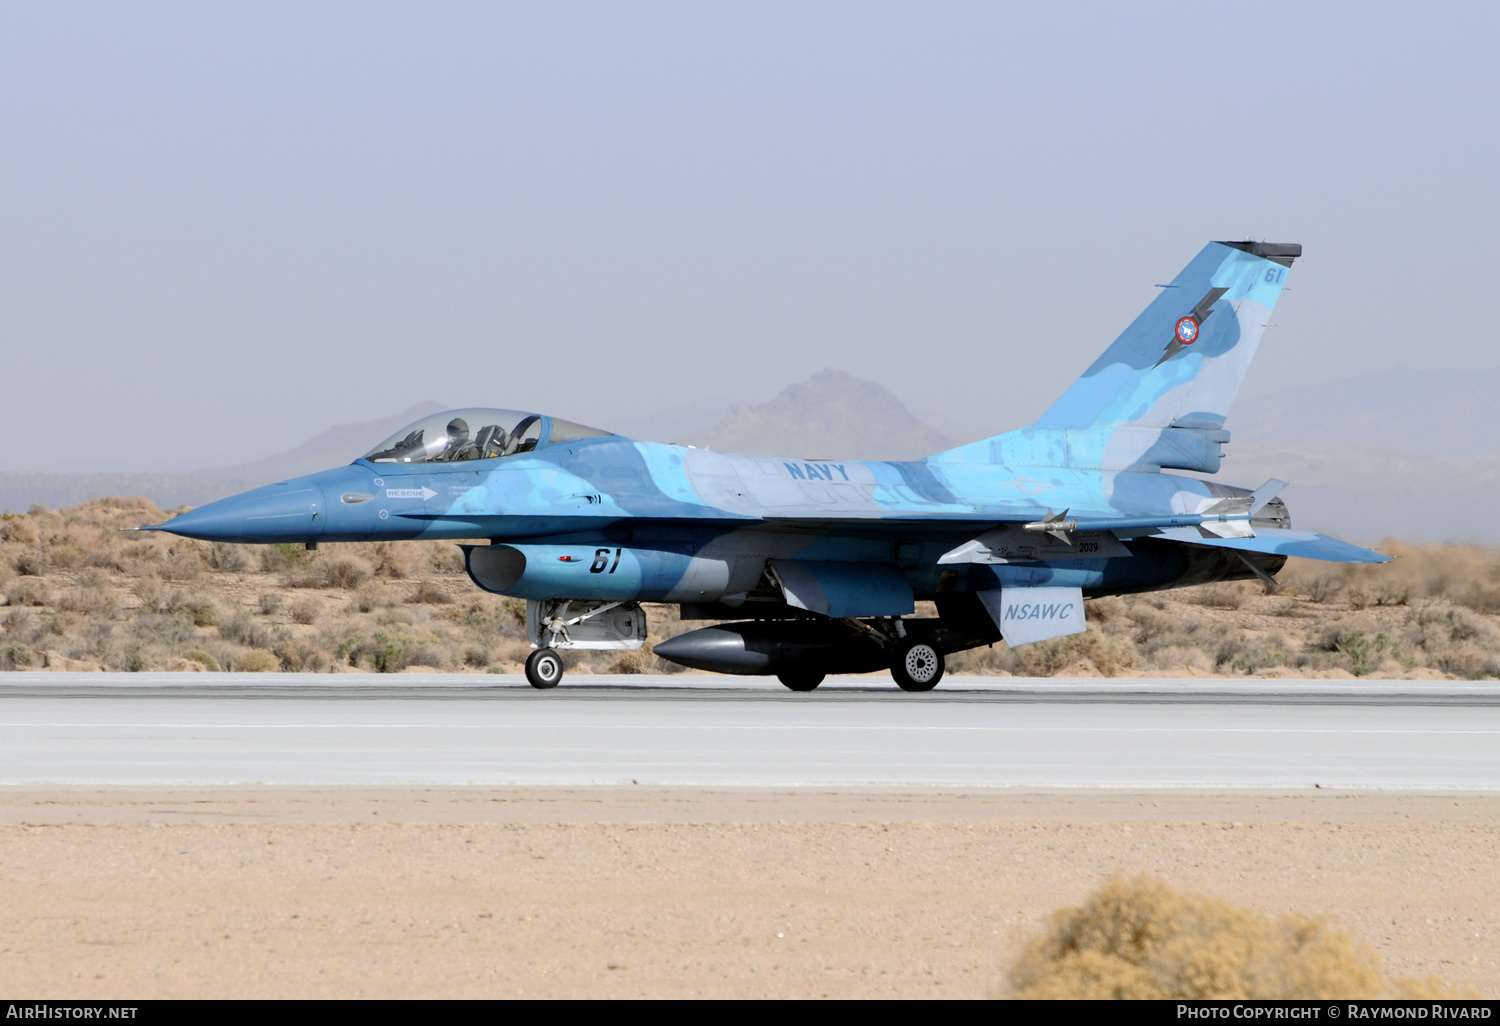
715,731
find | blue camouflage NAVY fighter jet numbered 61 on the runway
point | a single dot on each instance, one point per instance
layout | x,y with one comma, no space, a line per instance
814,566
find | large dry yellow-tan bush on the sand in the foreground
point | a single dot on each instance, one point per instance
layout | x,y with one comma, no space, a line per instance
1144,940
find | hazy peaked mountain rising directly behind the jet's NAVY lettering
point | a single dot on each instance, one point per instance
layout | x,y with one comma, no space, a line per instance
835,415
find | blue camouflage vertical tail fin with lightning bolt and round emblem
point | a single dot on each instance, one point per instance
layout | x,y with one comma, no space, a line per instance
1160,394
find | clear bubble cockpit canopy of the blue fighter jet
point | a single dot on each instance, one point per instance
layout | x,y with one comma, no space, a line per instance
476,434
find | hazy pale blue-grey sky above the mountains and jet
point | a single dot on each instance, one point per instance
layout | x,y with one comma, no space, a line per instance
226,227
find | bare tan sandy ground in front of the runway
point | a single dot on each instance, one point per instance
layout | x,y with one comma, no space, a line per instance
320,893
